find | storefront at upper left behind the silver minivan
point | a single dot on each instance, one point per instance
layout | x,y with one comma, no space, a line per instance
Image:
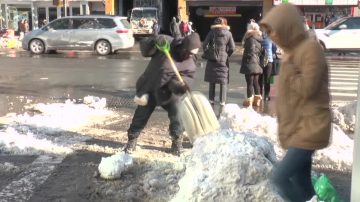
39,12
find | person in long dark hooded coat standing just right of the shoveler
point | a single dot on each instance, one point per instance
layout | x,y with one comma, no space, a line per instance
217,69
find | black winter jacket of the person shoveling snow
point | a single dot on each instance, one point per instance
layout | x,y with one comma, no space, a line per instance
158,78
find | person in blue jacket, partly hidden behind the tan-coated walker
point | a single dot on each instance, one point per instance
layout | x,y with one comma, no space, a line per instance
265,77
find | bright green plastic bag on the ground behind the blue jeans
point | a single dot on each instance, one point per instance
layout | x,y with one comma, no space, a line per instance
324,189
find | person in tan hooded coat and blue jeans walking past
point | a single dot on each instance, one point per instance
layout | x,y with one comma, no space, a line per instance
302,103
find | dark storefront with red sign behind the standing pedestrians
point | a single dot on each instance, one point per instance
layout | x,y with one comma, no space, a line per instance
238,13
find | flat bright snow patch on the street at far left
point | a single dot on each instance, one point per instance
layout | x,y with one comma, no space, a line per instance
47,128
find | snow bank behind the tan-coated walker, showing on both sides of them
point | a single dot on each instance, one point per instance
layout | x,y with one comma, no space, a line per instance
338,155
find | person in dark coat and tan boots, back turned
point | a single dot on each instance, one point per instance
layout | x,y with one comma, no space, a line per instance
250,64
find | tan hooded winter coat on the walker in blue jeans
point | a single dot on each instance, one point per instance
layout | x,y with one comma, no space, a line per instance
302,100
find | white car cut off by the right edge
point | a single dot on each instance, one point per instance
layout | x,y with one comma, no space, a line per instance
343,35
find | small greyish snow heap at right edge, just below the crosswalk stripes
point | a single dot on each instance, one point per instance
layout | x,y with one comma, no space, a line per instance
345,116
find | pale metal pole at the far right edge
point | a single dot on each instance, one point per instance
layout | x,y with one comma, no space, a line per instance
355,178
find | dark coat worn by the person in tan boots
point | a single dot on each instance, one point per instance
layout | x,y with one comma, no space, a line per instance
250,63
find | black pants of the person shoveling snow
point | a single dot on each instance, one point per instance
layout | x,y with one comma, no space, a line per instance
143,113
